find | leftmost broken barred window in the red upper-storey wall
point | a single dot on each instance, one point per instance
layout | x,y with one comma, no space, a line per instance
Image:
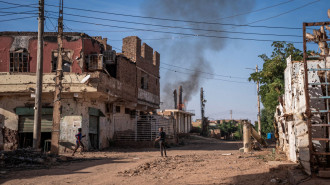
19,61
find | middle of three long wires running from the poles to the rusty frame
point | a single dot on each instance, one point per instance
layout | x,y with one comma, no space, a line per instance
179,27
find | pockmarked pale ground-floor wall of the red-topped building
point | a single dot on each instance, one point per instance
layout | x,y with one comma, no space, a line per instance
75,114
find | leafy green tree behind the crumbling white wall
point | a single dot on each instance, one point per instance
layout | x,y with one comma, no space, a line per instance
271,79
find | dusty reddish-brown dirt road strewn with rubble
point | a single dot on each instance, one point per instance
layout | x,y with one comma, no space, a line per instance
201,161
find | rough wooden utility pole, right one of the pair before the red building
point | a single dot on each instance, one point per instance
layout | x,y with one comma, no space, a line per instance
58,85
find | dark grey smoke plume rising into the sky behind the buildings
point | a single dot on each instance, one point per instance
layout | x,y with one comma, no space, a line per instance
190,52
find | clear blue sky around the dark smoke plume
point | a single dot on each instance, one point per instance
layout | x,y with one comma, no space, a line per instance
232,60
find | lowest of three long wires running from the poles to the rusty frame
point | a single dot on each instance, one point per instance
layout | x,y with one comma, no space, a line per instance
176,33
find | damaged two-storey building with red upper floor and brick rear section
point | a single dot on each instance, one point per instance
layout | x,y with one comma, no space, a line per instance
120,87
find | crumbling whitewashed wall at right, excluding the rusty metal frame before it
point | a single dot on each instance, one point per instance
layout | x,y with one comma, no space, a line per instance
290,116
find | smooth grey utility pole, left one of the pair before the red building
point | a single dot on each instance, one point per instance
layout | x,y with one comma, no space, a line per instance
38,91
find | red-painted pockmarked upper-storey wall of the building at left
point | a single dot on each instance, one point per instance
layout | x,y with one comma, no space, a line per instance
27,42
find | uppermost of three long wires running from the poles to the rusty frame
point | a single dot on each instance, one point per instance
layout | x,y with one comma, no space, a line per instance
175,20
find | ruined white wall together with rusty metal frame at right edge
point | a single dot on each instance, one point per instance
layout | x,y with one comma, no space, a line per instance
302,118
